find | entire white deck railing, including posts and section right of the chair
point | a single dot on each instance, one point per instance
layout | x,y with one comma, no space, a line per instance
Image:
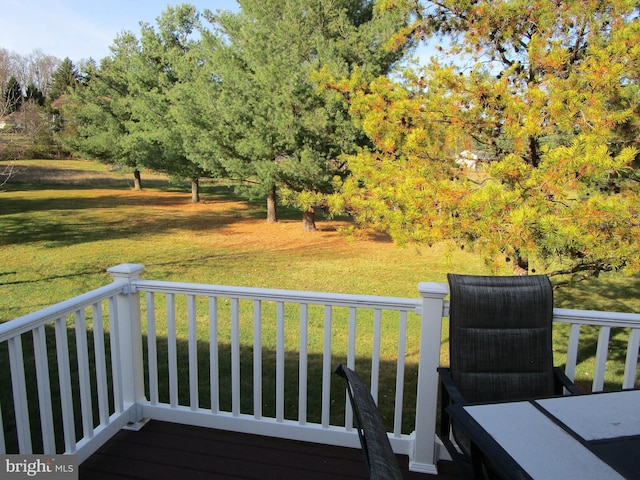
242,359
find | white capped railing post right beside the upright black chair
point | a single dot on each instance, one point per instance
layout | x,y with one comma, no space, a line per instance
424,455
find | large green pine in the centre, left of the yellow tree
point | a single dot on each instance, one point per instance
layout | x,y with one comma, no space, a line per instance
271,123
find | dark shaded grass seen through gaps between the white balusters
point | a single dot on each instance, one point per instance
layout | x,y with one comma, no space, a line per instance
314,385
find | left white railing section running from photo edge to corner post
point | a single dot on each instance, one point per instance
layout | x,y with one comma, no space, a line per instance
62,392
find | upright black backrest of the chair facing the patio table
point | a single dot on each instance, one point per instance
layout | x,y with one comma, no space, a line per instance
500,336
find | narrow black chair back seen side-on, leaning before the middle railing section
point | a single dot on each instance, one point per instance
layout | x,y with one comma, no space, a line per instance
381,462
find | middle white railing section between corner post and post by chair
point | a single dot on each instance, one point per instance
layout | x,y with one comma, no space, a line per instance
242,316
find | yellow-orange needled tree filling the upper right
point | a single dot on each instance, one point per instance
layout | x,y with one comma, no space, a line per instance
520,140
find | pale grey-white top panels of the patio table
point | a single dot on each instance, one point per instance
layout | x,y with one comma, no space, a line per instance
542,447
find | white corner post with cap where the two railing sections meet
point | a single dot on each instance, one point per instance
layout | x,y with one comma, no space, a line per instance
129,337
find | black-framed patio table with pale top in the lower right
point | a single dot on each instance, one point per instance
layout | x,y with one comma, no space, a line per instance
594,436
